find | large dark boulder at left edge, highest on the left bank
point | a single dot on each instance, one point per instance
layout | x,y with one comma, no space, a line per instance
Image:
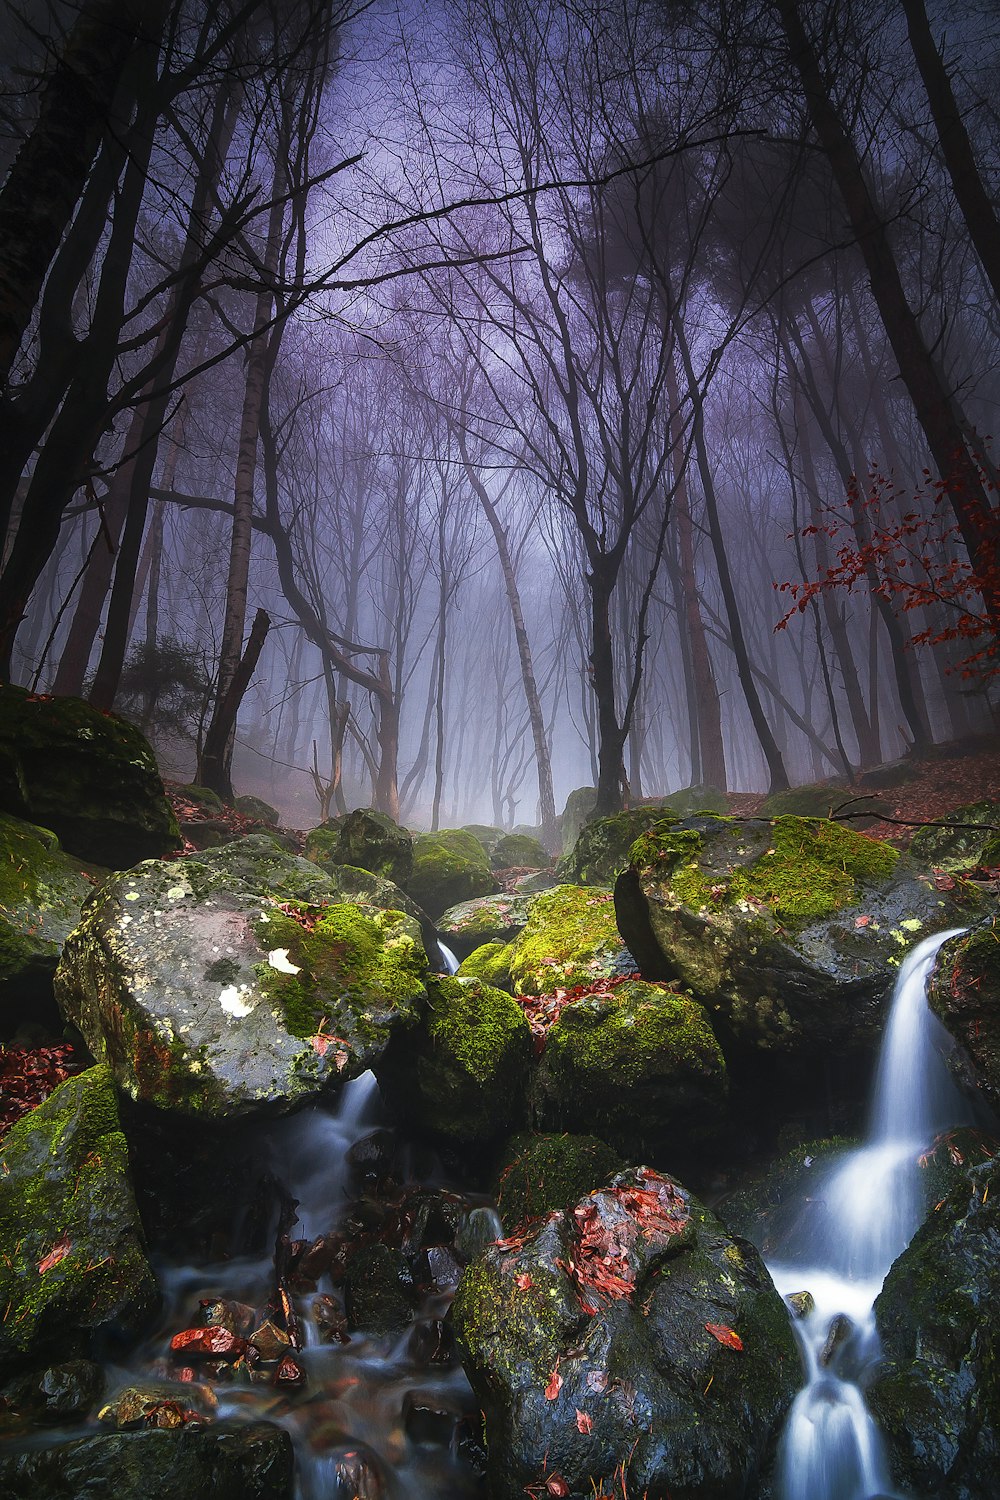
86,775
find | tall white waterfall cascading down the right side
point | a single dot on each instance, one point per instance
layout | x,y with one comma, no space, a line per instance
831,1448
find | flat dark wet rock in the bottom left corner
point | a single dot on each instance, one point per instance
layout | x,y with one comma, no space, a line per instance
229,1462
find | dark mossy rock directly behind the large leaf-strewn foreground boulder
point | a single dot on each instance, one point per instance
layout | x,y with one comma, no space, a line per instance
545,1172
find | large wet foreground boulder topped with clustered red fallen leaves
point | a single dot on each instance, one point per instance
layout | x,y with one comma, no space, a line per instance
626,1345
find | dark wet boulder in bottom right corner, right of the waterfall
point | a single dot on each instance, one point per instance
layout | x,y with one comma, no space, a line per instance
938,1393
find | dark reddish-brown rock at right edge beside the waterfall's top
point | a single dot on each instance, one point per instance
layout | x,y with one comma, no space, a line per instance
965,994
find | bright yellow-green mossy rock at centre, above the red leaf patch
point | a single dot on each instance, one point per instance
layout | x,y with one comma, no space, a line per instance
570,938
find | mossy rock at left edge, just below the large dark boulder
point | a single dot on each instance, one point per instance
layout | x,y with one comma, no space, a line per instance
41,895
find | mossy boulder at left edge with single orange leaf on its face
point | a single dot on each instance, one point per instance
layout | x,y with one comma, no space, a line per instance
73,1256
